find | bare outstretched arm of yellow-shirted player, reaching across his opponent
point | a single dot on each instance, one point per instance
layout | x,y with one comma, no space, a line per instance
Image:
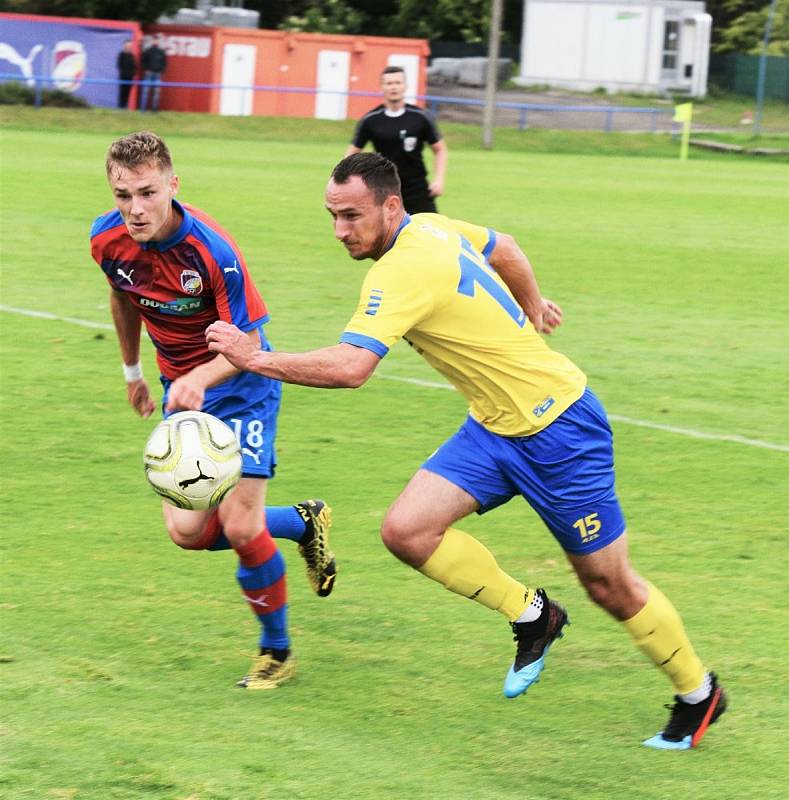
342,366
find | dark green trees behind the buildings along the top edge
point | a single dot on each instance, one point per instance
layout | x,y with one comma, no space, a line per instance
738,25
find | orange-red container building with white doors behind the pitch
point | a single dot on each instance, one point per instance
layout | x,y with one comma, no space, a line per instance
297,74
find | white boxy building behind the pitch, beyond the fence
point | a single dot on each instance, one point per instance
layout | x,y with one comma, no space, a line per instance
629,45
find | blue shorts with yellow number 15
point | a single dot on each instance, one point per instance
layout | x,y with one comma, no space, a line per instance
565,472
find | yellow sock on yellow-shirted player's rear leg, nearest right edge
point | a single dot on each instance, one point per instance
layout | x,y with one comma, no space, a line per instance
658,631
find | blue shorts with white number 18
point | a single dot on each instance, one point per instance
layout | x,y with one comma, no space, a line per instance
249,404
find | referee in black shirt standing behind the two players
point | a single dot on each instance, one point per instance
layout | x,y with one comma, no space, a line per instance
399,130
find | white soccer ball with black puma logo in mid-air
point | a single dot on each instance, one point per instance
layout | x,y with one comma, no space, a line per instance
192,460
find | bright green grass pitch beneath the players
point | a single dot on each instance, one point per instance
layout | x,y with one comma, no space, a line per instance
119,652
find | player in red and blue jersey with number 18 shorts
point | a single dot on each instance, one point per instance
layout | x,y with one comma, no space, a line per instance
175,270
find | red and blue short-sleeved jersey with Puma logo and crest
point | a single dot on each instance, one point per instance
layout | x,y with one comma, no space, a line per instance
180,285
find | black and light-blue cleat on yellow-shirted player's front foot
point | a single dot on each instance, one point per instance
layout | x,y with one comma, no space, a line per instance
533,641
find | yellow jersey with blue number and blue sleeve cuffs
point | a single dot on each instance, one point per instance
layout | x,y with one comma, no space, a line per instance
434,288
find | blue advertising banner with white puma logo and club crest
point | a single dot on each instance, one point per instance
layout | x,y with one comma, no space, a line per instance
66,54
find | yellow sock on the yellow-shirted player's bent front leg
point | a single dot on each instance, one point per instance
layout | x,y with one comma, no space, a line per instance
464,566
